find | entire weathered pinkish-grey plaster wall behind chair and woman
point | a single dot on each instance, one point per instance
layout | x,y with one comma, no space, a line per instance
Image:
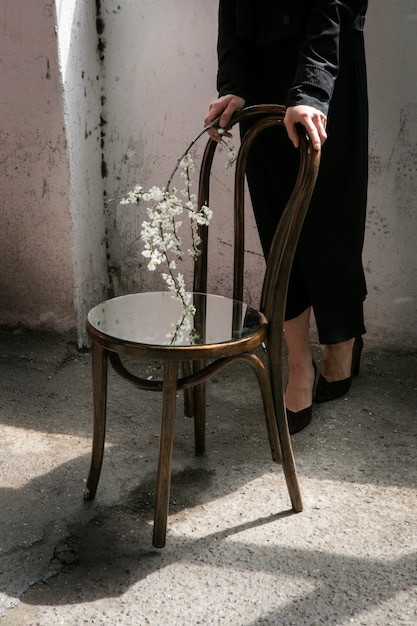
135,82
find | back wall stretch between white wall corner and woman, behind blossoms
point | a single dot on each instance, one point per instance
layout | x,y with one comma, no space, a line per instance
160,75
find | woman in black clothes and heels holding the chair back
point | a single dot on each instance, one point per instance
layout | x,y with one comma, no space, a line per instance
308,55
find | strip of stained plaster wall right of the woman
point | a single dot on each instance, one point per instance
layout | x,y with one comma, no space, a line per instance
390,257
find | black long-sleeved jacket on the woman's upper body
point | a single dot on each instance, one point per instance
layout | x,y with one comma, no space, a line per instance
244,24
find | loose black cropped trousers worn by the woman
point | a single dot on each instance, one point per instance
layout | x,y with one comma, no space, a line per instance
327,272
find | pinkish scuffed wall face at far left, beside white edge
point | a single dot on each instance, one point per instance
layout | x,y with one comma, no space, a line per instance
36,279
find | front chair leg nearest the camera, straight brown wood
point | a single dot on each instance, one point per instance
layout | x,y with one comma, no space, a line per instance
163,481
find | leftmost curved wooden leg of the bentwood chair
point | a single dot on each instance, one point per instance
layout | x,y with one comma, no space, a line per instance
99,372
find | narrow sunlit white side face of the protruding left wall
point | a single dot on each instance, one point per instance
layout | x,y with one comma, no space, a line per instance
80,28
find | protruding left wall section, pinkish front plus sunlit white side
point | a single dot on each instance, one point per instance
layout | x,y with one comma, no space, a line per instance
52,240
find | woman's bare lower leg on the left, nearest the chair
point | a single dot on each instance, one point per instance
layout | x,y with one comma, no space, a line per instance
298,394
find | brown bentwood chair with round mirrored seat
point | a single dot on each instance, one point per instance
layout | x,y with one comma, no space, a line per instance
227,329
